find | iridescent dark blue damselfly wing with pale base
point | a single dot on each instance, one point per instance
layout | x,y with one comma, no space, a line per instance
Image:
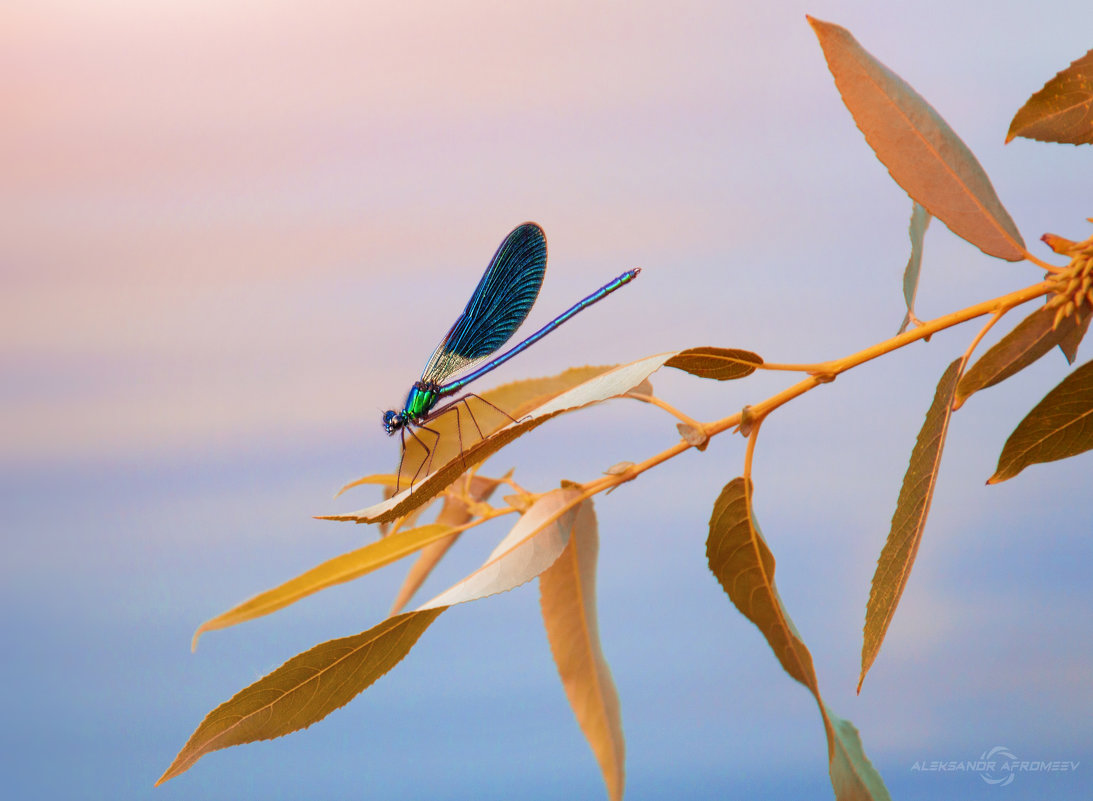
499,307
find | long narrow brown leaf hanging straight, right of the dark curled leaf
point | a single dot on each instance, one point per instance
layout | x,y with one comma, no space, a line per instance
898,557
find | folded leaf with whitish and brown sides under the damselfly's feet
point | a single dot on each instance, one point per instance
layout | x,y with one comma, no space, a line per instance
613,383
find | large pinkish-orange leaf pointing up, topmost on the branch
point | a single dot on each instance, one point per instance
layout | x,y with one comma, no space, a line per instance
923,155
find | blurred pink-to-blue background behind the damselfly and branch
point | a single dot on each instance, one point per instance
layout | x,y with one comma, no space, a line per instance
232,234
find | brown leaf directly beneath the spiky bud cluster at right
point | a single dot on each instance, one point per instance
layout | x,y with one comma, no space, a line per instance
1030,340
